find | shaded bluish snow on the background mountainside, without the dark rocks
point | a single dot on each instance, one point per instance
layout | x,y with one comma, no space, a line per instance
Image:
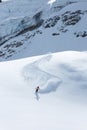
10,24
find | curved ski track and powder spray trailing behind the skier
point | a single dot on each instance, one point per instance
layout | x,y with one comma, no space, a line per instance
37,76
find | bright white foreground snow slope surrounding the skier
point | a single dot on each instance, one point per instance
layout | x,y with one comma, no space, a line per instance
62,100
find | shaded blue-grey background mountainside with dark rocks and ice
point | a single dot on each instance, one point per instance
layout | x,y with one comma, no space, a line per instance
29,28
